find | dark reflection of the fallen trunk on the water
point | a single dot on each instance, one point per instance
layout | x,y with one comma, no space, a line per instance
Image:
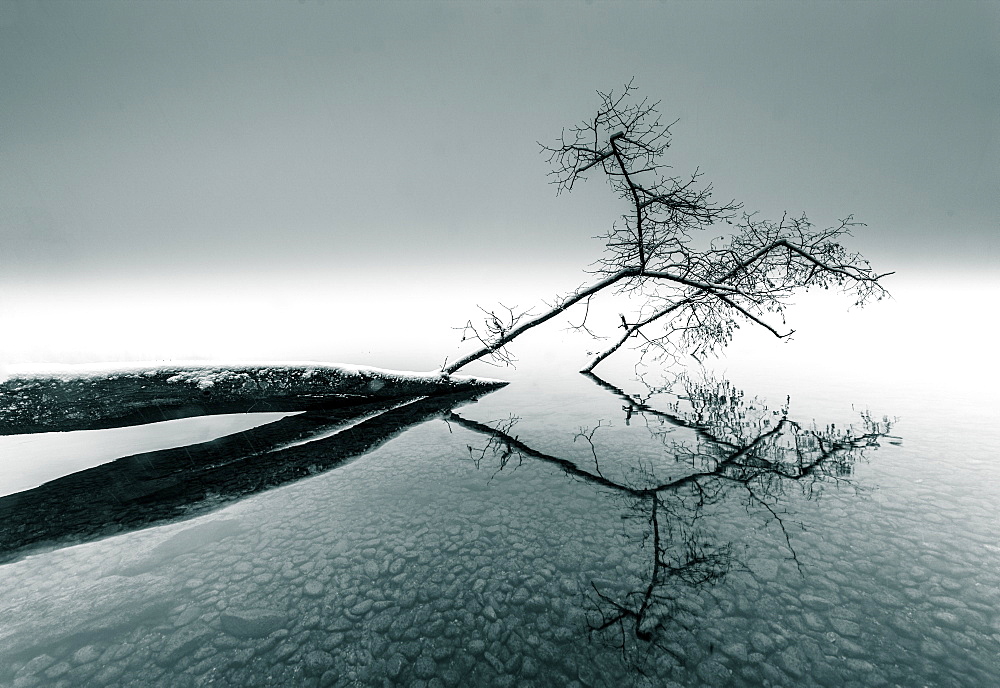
158,487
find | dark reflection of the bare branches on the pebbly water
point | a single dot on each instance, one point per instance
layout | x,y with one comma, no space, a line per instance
729,446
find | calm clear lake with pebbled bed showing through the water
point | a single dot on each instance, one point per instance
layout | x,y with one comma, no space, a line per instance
566,530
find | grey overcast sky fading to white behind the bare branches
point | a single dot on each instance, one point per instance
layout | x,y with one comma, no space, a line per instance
222,166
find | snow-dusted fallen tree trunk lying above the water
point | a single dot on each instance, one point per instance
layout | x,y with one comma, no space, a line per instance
134,397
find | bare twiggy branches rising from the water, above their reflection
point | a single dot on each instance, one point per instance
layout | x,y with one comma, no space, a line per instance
698,288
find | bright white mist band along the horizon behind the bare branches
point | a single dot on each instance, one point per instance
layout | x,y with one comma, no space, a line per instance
936,329
